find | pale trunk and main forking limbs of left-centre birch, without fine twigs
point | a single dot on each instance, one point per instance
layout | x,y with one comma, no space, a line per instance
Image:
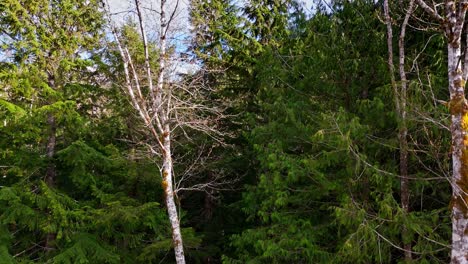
154,113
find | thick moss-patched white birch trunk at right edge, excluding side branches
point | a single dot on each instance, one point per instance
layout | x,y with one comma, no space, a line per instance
458,108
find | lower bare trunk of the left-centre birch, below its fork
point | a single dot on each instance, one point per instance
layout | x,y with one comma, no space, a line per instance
169,195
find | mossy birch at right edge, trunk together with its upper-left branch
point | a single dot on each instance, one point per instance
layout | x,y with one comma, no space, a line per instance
452,21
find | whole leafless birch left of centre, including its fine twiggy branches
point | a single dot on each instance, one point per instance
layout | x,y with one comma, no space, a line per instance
165,106
